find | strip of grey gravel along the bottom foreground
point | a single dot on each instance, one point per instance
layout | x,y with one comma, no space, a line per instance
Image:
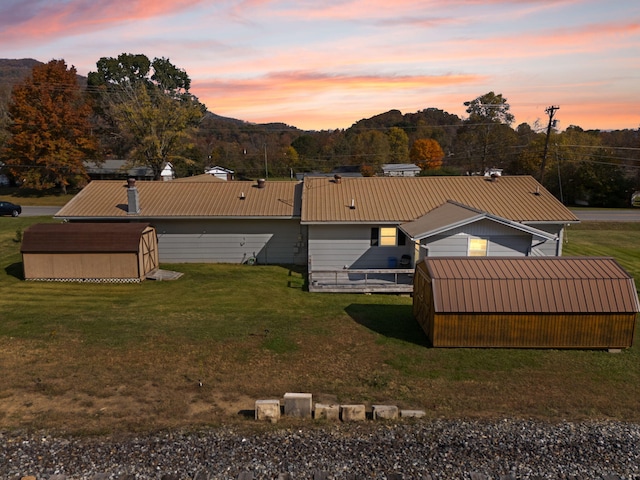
425,449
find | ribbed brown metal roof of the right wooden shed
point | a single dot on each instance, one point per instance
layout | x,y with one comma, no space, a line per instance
530,285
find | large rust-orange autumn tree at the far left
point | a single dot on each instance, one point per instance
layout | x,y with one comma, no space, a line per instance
50,129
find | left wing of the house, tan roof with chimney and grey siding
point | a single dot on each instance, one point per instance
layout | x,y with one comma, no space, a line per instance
196,222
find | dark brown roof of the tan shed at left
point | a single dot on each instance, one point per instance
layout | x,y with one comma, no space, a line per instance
82,237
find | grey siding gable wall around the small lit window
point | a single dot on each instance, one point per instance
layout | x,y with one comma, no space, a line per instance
502,241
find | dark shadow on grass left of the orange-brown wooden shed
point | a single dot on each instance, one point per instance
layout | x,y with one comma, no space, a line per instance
392,321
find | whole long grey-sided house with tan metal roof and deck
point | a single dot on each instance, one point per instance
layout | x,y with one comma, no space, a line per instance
354,234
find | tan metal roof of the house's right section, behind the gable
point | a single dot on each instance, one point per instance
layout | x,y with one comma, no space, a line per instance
405,199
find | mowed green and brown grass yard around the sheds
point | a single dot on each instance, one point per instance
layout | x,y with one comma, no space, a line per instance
199,351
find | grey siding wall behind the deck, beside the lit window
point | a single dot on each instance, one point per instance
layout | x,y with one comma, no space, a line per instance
332,247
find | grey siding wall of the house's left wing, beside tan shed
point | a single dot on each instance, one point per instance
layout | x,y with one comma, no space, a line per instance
231,241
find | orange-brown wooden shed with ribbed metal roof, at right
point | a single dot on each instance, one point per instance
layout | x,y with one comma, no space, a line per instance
525,302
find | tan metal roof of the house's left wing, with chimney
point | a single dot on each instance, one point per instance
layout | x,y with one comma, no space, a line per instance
108,199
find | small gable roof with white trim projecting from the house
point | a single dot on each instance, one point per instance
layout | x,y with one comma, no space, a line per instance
453,215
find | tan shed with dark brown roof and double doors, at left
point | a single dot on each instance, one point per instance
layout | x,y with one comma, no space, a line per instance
89,252
